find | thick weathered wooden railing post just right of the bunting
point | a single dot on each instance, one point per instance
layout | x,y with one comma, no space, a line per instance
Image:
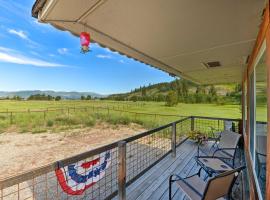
122,170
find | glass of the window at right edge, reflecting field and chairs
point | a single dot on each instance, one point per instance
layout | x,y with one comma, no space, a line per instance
261,119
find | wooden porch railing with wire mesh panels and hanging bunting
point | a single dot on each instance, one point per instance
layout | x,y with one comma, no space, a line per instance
111,168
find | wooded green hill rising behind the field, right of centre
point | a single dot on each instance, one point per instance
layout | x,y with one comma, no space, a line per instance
186,91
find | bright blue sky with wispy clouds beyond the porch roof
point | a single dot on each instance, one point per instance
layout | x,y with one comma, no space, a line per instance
38,56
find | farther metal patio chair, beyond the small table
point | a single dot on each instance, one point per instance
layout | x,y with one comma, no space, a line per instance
225,148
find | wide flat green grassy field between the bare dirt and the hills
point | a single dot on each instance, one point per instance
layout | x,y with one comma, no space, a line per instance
55,116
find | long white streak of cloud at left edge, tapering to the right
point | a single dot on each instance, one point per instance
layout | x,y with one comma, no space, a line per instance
12,56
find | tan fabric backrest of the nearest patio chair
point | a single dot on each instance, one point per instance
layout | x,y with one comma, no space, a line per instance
221,185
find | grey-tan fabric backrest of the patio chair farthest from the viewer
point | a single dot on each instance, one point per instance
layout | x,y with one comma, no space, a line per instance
229,139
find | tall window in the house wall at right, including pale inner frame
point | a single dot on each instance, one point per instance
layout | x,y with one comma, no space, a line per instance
258,120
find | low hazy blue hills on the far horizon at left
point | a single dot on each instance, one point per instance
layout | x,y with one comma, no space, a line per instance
64,95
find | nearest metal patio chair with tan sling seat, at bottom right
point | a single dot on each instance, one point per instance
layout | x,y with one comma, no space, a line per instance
218,187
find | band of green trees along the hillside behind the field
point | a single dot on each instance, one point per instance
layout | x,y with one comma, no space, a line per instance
179,90
